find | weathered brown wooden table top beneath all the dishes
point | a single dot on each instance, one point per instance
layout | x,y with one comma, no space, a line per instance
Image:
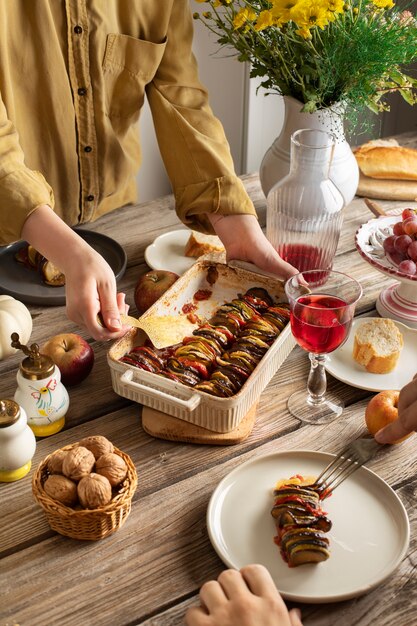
150,571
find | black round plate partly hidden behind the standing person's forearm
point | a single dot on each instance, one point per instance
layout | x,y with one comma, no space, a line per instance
25,283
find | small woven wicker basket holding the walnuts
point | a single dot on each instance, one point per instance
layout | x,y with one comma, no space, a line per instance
87,524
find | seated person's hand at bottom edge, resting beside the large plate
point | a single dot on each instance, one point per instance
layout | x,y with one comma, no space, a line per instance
242,598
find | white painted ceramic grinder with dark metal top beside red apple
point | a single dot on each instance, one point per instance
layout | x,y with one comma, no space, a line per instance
40,391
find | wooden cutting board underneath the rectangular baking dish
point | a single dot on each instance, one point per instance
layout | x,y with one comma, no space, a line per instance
163,426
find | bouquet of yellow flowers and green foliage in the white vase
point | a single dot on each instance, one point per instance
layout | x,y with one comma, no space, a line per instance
321,52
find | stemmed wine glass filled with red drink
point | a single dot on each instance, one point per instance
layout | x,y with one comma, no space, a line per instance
322,304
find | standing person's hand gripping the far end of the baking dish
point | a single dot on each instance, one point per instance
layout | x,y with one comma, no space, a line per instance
244,240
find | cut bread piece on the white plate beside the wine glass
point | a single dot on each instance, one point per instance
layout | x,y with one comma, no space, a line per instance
377,345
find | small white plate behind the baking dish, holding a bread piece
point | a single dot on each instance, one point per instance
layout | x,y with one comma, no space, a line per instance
167,252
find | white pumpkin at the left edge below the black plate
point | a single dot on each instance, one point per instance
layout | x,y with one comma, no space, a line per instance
14,318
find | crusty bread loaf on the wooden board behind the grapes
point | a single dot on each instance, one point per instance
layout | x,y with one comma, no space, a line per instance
387,160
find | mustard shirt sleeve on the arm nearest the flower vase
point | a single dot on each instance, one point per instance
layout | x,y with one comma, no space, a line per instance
191,139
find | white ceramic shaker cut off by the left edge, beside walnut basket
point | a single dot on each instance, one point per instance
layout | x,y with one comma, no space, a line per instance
17,442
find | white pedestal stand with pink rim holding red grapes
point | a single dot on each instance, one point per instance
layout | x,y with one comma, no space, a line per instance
399,301
